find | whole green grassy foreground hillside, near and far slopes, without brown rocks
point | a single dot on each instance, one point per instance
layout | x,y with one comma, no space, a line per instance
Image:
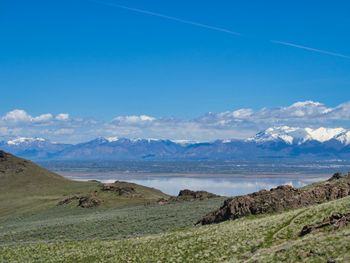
33,228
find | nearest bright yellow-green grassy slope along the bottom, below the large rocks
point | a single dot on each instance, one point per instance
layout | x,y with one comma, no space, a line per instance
269,238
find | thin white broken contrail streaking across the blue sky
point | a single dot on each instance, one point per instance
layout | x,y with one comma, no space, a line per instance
219,29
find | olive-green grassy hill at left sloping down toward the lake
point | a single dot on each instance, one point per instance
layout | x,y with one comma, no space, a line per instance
26,188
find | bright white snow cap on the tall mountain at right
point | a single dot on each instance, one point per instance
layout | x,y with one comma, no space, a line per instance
294,135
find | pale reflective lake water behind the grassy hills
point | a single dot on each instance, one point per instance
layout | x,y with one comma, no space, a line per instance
222,184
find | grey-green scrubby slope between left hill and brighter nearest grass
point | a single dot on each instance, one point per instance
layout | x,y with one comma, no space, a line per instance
71,223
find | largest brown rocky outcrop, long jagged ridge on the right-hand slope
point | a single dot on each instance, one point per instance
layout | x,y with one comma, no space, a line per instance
279,199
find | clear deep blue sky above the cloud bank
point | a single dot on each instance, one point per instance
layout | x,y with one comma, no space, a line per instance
94,59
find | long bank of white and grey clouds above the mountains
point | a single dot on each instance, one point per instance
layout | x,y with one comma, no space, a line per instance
239,123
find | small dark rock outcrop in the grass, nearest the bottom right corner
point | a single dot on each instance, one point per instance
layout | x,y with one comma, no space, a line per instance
336,219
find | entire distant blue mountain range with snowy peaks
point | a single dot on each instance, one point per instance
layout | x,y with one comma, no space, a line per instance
273,143
